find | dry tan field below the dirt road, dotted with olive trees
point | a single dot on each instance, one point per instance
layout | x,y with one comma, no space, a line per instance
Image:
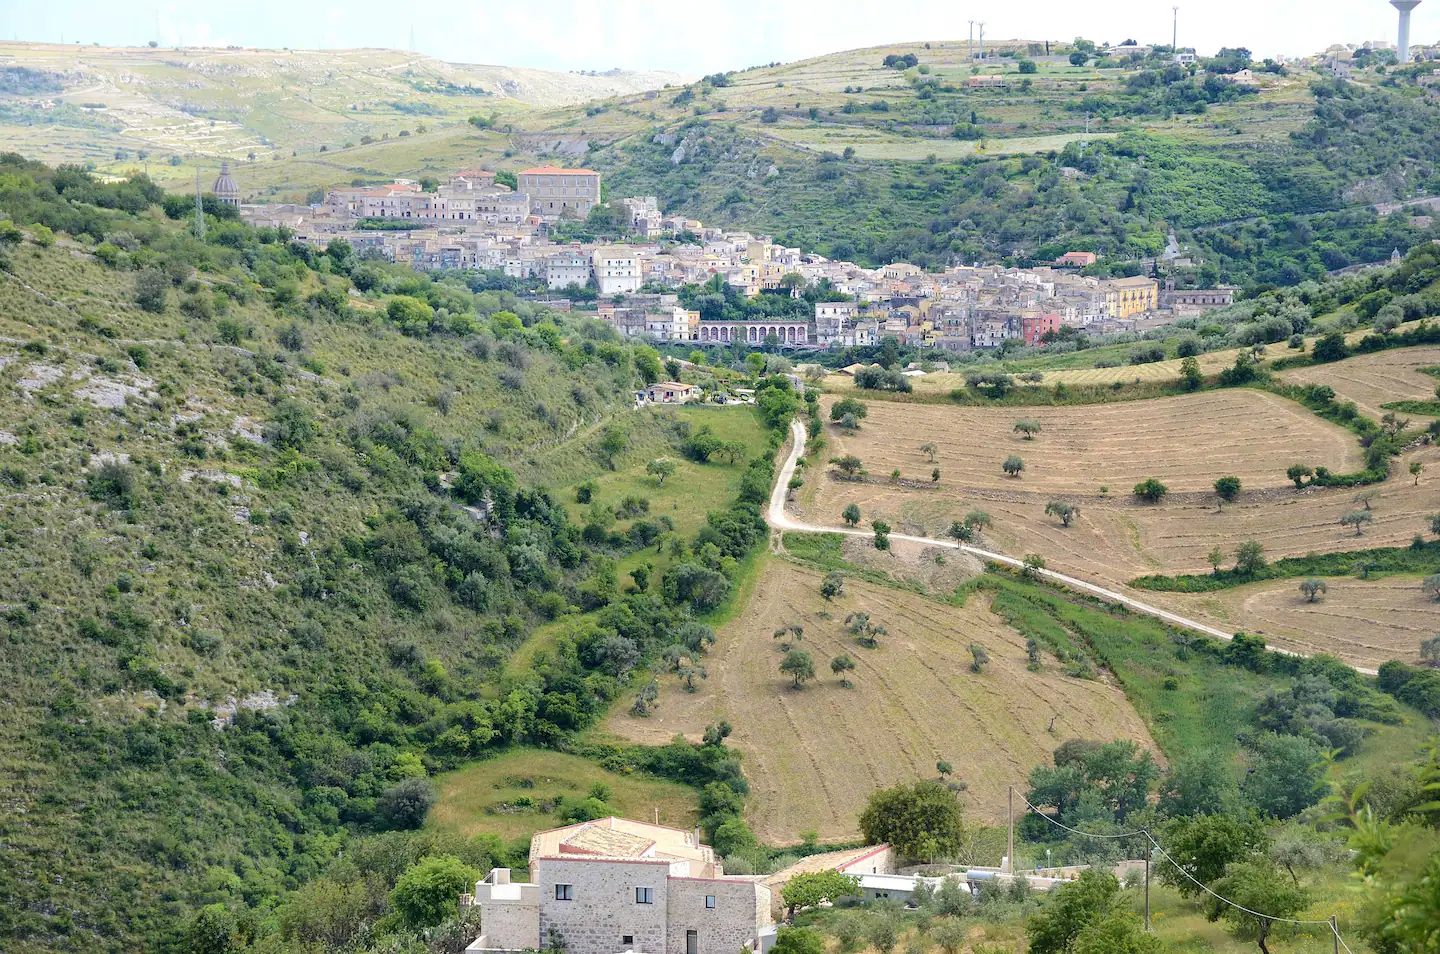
814,756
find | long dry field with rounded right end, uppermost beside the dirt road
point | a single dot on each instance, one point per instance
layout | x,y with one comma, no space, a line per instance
1186,442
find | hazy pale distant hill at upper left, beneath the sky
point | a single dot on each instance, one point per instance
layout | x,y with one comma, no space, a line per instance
90,103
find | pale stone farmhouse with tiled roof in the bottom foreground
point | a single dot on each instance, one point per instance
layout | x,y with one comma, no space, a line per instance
620,886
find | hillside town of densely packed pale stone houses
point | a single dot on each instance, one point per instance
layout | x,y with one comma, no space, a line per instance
472,223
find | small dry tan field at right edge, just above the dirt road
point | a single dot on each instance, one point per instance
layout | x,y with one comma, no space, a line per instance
1364,622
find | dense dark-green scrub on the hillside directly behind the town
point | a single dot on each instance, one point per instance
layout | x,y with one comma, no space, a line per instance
1252,213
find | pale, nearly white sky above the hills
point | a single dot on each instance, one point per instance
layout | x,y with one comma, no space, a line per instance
693,40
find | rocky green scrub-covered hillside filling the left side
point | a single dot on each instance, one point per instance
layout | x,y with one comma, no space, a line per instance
277,520
